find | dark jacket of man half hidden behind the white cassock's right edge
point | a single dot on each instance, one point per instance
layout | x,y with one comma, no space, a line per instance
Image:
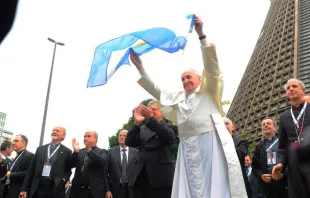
242,150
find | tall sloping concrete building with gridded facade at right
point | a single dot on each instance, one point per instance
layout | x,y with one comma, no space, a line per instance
282,52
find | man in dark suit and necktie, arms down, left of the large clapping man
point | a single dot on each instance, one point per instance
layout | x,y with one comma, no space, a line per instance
122,160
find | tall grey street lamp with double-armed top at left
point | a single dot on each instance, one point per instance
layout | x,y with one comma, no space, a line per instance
48,90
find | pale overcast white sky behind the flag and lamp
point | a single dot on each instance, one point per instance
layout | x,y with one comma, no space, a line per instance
26,54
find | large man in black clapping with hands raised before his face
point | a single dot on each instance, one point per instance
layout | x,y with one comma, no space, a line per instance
155,168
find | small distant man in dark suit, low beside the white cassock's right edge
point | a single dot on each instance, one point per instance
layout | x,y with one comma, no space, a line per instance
253,180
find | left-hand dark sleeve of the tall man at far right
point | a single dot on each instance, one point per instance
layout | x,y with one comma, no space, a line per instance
283,145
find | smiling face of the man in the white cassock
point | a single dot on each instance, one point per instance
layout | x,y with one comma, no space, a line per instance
190,81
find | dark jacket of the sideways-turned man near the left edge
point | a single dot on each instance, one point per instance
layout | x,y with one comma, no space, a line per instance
19,171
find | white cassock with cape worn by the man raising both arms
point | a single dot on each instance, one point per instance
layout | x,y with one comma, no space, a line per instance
207,163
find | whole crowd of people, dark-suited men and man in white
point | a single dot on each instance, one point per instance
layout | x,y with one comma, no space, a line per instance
212,161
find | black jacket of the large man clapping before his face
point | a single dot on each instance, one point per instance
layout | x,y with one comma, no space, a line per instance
154,141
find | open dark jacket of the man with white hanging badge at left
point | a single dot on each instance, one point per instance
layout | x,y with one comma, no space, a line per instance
60,169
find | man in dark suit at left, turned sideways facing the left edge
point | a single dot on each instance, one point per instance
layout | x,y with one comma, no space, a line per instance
18,168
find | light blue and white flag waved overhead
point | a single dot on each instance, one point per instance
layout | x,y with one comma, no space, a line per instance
160,38
